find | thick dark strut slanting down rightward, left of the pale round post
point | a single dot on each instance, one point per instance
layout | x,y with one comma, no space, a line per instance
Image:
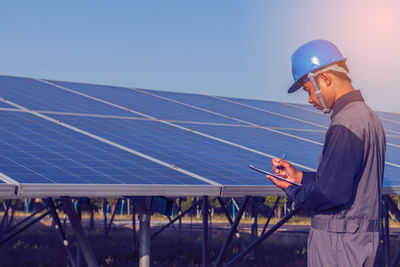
79,233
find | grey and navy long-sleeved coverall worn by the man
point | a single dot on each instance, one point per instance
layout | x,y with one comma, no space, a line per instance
344,194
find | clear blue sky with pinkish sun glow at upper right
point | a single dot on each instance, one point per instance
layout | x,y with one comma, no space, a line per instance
225,48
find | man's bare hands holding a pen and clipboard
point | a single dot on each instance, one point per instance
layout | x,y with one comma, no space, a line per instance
284,169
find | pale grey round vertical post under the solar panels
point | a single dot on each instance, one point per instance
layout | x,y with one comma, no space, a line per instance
144,239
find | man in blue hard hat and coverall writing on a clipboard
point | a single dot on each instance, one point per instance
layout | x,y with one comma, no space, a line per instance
344,193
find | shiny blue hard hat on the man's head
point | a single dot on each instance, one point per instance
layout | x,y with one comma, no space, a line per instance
312,56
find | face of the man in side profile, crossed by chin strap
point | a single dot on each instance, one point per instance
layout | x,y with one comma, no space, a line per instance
327,92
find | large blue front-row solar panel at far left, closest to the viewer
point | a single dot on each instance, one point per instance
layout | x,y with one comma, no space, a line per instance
34,150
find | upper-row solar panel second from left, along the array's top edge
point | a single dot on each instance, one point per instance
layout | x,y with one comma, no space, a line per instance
144,103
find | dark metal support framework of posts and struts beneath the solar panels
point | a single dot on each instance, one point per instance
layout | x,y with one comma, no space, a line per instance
84,247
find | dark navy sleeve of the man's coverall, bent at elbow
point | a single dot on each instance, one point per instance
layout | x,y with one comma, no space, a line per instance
342,157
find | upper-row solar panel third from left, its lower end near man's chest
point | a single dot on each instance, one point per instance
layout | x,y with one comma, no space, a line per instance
235,111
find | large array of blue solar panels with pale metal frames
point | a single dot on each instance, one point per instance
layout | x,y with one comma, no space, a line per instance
62,138
